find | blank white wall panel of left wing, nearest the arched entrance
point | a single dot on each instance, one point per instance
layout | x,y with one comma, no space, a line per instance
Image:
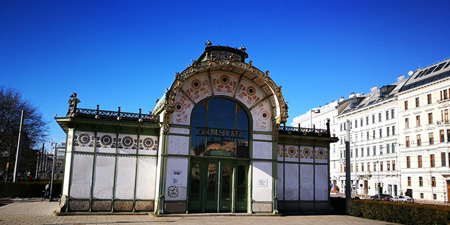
146,178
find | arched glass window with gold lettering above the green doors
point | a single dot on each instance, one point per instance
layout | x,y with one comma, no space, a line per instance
219,127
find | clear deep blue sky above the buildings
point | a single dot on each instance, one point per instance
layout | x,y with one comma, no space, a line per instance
125,53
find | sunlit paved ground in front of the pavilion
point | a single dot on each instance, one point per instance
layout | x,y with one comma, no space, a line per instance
32,212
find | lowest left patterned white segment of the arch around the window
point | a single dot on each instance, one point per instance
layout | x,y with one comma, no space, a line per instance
183,108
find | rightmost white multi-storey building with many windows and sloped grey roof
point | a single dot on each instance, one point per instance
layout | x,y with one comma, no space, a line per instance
424,105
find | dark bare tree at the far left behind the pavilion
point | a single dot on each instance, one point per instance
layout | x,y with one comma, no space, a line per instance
34,131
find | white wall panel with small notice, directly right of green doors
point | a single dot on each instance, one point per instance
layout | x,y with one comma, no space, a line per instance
262,181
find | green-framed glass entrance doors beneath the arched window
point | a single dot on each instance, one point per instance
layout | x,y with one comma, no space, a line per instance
217,186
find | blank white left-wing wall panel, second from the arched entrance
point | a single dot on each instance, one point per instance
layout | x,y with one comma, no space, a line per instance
125,177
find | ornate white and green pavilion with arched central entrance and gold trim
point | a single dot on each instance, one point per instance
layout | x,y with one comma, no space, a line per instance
216,142
